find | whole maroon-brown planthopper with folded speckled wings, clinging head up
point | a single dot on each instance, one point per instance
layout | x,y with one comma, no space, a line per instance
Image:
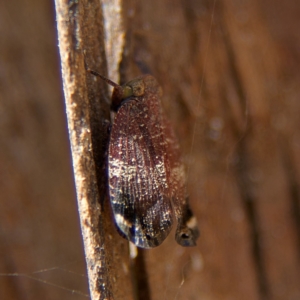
146,177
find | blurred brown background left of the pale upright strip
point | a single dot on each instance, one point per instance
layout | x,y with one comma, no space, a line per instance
39,223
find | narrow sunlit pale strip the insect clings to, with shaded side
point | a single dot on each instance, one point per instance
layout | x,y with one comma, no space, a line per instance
80,30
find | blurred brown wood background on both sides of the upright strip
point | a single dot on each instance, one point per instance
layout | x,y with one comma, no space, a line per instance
230,75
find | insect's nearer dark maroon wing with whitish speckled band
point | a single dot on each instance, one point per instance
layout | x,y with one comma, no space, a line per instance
138,171
